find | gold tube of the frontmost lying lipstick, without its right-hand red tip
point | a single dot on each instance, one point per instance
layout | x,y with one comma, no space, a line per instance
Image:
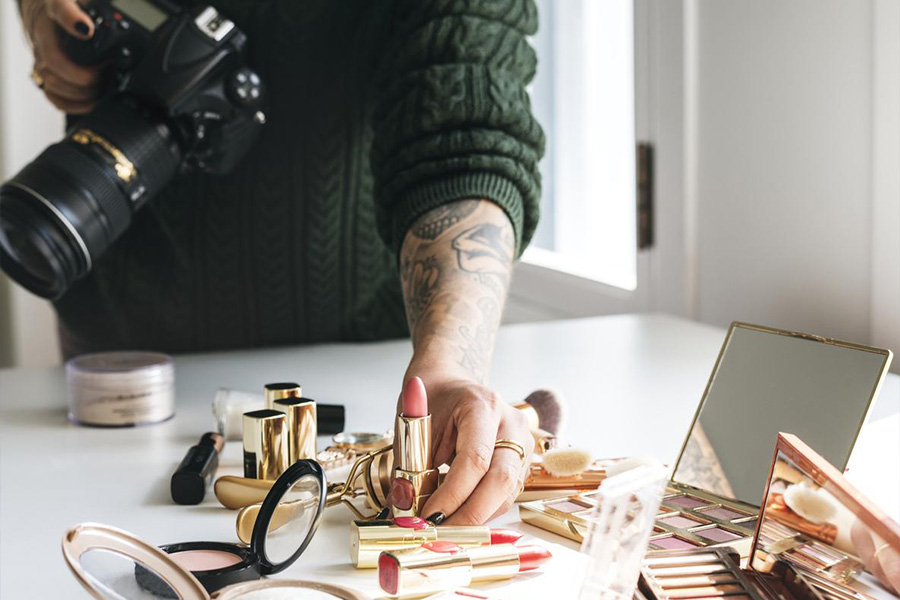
421,572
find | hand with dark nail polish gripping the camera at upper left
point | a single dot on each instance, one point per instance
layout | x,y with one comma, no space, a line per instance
71,87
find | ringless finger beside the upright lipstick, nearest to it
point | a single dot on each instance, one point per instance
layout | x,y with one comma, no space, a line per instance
477,426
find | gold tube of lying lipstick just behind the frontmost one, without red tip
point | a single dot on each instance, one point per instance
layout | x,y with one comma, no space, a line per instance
368,539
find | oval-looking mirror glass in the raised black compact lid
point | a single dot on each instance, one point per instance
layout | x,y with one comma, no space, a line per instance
293,519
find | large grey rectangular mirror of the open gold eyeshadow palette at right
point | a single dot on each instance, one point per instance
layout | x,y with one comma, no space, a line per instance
767,382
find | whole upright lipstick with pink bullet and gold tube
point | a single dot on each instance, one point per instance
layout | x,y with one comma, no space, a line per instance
415,477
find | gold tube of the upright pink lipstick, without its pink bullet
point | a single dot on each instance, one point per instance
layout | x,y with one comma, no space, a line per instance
416,458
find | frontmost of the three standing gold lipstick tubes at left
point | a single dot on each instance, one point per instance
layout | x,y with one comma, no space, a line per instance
265,444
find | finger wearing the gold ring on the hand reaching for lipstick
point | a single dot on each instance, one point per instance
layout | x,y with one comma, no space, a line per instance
499,487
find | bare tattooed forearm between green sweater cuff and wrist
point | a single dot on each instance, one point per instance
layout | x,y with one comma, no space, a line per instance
455,269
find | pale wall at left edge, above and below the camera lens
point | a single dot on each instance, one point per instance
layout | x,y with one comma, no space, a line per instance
28,123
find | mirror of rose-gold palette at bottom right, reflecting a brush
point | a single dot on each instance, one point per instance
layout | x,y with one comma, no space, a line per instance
805,525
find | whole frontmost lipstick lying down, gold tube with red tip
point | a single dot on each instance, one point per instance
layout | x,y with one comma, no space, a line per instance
437,566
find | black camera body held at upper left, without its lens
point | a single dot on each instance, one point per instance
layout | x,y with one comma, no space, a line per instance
187,64
